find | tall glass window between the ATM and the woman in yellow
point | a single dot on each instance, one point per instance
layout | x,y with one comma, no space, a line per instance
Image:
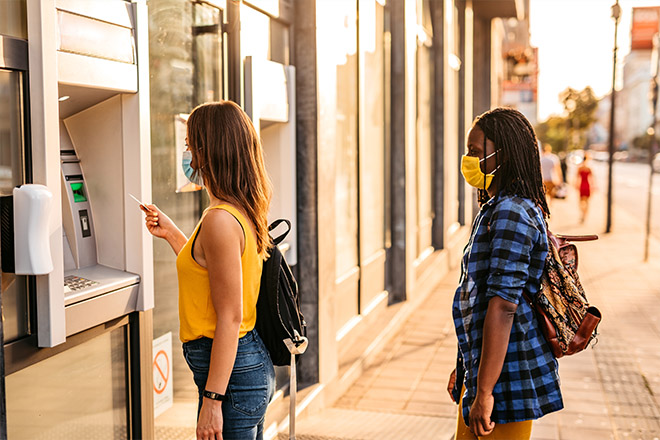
186,69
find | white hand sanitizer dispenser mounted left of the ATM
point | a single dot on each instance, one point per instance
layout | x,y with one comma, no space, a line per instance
31,242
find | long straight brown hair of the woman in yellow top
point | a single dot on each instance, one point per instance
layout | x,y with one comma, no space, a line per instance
227,152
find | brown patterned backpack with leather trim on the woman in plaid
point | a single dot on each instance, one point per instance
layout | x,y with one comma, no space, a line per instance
566,318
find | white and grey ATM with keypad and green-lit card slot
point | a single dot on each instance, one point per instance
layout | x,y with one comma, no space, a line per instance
91,149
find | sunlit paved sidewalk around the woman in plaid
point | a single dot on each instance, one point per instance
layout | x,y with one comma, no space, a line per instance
610,391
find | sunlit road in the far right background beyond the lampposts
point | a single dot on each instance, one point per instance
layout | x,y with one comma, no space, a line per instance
630,190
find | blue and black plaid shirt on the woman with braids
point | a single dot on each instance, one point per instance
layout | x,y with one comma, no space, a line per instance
506,255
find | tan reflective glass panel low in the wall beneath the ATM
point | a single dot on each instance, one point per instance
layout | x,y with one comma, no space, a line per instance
80,393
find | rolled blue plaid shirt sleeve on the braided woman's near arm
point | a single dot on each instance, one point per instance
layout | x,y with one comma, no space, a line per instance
512,238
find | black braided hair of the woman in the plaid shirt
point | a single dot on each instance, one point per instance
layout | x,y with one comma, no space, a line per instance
519,160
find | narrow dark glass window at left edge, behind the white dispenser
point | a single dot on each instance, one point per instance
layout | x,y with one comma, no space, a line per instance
15,304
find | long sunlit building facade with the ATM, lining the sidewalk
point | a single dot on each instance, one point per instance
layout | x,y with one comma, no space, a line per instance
363,108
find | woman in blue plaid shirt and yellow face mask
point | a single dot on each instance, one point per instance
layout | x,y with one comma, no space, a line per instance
505,375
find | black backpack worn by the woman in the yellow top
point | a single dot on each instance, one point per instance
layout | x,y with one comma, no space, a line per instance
280,323
